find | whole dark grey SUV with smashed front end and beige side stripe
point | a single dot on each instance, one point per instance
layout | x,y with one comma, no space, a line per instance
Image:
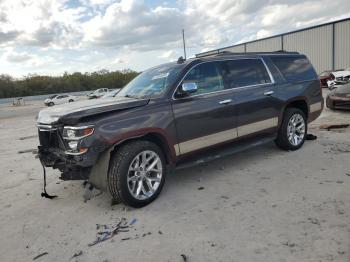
171,115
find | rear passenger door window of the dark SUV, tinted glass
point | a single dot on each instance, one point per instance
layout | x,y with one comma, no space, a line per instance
244,72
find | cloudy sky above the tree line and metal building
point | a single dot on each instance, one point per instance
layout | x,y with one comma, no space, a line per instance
55,36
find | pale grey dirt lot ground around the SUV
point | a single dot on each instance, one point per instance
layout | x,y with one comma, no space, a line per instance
260,205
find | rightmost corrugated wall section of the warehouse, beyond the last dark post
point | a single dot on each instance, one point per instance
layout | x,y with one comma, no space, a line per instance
342,45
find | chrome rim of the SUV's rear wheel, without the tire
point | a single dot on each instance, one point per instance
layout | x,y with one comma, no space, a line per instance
296,129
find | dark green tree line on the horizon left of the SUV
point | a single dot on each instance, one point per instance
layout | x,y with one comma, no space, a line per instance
32,85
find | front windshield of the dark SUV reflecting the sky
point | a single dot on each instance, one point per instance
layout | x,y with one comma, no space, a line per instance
153,82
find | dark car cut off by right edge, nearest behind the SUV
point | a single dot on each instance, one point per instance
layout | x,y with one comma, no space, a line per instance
339,98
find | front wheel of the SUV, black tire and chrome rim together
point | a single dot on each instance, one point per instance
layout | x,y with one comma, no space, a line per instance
137,173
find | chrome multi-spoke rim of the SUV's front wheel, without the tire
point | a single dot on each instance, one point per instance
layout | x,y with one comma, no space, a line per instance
144,175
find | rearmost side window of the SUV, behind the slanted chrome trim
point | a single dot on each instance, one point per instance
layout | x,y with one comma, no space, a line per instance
295,68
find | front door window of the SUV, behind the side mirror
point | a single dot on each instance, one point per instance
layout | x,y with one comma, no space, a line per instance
207,78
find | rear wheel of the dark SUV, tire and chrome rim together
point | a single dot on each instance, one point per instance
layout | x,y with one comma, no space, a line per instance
293,130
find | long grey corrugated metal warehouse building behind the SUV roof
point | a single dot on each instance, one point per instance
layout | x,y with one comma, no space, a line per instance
326,45
